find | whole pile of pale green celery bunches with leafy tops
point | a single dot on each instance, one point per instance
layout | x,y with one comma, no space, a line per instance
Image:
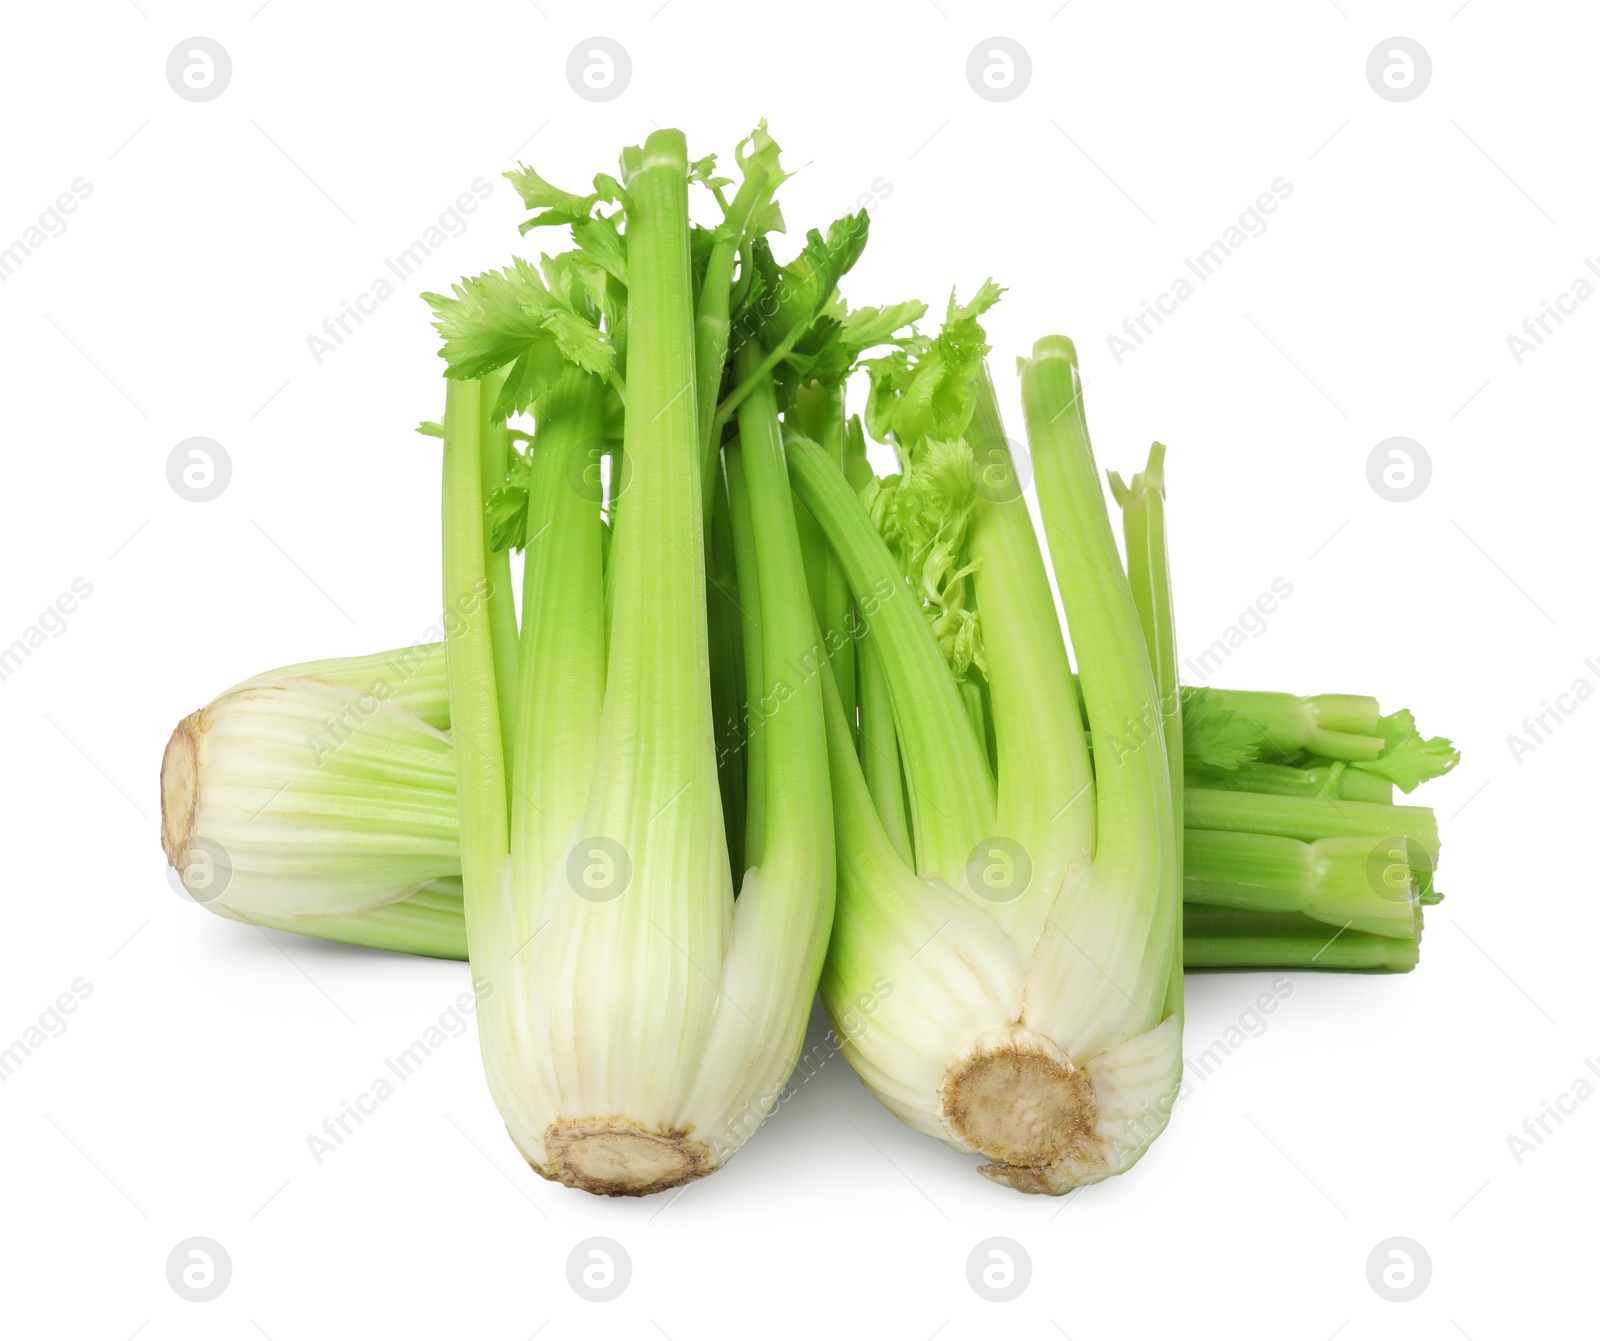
767,719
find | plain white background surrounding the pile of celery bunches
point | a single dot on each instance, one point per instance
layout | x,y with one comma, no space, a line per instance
220,236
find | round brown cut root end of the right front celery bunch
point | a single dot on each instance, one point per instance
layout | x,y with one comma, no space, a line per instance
1022,1103
